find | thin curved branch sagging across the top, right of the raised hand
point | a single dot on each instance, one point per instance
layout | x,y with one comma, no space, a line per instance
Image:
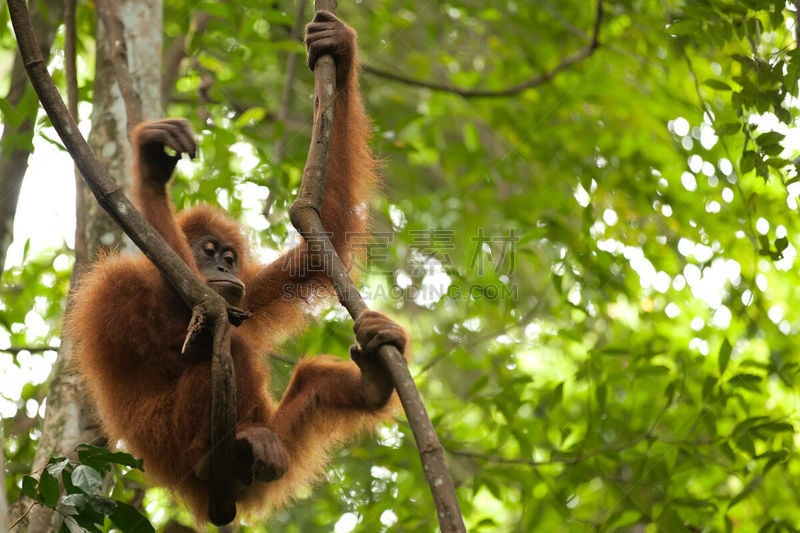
540,79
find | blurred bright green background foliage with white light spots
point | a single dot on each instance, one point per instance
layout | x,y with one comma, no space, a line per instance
597,270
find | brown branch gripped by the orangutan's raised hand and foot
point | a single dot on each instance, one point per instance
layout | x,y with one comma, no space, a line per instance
305,217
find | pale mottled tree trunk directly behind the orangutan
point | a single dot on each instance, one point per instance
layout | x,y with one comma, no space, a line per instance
68,421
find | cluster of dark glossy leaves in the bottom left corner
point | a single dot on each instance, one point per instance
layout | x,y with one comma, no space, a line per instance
83,504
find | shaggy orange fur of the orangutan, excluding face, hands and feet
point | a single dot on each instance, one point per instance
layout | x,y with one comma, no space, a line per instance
129,325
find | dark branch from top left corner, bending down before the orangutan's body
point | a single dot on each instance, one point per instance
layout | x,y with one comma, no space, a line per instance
209,310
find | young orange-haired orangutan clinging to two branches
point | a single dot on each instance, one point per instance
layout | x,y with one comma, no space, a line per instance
129,325
